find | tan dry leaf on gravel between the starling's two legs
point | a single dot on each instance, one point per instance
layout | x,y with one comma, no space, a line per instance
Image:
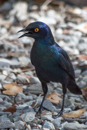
54,97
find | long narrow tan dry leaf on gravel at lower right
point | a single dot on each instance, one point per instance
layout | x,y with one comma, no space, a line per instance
74,114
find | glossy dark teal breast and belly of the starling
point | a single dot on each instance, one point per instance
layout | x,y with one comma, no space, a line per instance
45,61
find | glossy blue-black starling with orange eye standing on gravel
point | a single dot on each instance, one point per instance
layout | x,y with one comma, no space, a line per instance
51,62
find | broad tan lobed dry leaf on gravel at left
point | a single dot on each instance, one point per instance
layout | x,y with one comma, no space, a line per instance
12,89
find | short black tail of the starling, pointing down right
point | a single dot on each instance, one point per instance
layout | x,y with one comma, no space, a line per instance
74,88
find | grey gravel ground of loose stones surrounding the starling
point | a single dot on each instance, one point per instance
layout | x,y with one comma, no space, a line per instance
69,27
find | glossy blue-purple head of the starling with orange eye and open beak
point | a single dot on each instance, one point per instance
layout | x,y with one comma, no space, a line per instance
37,30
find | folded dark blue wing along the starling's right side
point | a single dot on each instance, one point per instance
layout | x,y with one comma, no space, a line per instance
65,62
